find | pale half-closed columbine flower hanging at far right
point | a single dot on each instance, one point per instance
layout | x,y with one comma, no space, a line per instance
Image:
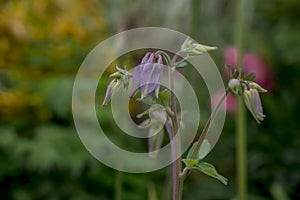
253,103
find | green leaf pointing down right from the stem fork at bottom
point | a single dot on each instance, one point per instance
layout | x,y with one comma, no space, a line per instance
211,171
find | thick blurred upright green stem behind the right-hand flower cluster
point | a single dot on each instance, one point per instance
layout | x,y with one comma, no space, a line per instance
241,140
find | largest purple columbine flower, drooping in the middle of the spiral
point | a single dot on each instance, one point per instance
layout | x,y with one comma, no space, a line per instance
147,76
